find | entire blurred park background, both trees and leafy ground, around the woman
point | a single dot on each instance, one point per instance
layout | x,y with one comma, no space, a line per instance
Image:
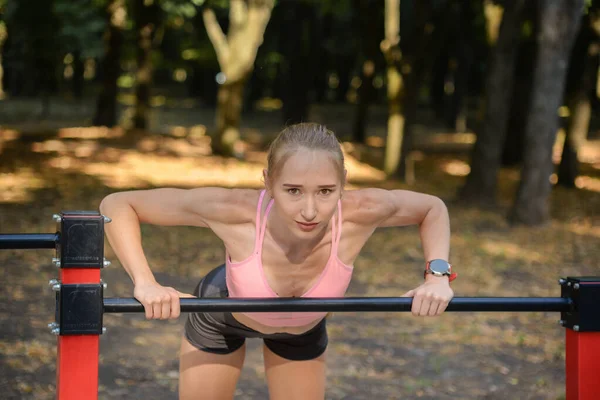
490,104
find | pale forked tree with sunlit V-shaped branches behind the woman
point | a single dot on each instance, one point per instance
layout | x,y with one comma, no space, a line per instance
236,53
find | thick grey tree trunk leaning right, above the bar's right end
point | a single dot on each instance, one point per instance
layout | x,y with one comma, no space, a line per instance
559,21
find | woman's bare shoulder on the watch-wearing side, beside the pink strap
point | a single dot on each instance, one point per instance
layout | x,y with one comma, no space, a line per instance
367,207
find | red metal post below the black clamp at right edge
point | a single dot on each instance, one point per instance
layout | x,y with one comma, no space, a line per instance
583,365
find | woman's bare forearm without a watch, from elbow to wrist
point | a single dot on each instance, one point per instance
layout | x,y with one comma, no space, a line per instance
125,238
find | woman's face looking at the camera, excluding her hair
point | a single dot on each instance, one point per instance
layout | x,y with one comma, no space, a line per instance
306,191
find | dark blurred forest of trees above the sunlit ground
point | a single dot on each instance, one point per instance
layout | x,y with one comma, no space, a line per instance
513,78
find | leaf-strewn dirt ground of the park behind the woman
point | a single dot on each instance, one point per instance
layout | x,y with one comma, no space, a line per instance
370,355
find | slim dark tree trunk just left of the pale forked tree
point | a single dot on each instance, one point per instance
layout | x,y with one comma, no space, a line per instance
146,19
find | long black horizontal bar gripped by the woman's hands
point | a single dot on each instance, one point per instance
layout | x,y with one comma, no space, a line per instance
480,304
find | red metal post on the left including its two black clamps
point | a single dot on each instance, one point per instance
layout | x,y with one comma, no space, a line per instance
80,255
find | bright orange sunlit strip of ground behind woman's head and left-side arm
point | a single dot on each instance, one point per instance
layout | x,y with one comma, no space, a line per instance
155,161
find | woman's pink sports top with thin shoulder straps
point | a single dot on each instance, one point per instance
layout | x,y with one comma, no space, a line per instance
247,279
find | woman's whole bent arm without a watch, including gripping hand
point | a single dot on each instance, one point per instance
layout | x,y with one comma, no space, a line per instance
205,207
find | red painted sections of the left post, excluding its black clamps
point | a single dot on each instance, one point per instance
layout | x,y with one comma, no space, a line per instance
78,355
